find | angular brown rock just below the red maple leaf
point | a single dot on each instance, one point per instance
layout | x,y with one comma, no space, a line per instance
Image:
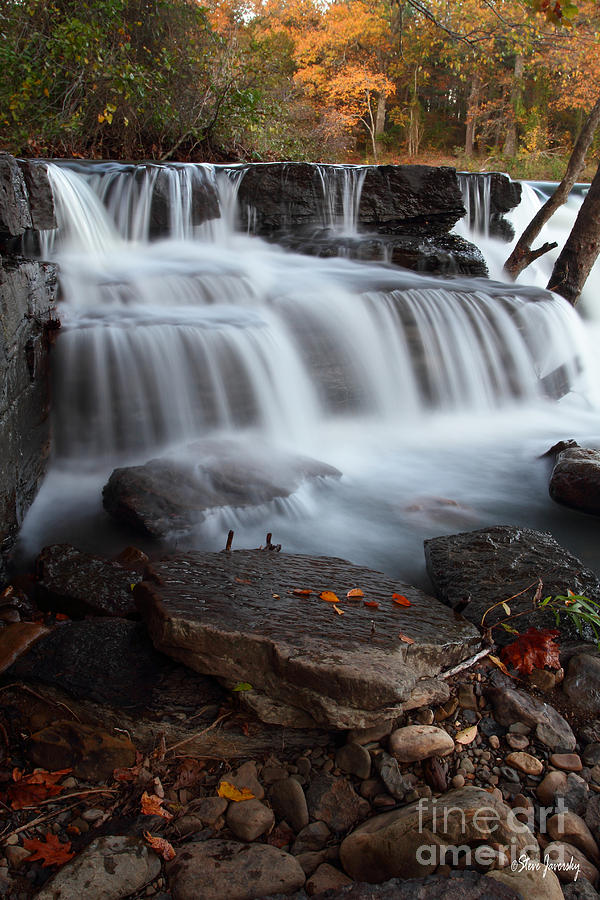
511,705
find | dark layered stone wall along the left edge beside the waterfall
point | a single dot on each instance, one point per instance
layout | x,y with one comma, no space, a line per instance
27,322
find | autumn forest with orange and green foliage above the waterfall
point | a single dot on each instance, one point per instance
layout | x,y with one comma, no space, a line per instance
480,84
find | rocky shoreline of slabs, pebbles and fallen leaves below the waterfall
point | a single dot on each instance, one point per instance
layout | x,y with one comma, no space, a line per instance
487,786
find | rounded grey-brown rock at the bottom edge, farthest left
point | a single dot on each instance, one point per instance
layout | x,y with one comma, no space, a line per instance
108,869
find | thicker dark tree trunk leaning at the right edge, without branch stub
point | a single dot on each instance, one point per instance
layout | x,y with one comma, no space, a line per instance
581,249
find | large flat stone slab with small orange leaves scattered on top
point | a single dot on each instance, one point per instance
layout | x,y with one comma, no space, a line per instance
236,615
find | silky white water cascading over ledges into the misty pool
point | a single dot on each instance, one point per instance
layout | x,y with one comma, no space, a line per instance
425,393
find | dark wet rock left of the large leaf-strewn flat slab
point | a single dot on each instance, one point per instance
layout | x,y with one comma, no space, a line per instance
79,584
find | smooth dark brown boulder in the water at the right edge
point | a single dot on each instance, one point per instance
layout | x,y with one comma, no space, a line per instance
575,480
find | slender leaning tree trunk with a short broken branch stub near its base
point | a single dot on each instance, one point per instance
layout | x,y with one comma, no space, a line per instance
522,253
